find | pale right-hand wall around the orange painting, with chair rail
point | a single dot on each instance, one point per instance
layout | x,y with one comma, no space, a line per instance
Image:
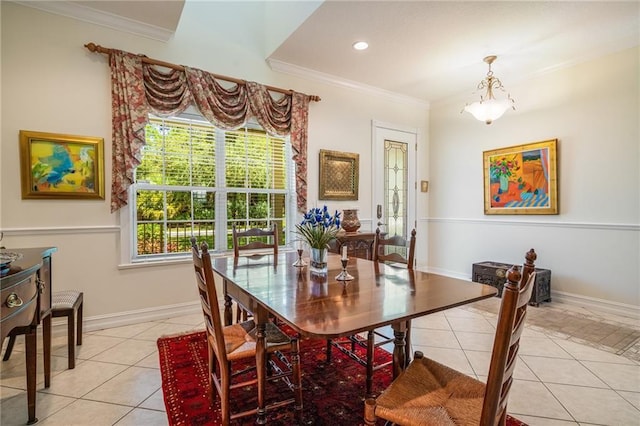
593,245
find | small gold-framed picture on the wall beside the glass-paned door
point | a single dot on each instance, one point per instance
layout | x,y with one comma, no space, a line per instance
339,172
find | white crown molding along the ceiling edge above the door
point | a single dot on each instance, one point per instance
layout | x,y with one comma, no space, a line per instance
310,74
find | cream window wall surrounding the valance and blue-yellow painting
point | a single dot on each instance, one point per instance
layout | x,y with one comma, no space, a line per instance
51,83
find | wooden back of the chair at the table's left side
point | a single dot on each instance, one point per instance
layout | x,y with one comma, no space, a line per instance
209,300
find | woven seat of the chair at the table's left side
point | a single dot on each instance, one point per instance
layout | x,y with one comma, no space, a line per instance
240,339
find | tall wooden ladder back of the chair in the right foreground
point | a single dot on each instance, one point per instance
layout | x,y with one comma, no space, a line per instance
515,298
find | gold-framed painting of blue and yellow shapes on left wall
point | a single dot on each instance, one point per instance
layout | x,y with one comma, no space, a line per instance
56,166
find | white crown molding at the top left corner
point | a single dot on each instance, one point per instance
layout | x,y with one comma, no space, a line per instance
94,16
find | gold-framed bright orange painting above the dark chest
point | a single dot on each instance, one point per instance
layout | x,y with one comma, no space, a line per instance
521,179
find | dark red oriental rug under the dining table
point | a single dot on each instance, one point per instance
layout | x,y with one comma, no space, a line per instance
333,394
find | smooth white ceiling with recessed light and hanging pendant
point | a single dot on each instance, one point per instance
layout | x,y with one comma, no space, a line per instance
428,50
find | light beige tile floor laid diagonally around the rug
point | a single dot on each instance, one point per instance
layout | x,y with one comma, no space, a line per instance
560,379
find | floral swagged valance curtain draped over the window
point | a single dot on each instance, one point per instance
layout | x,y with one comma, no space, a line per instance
138,88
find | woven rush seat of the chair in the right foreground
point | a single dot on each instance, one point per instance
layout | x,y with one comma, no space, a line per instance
429,393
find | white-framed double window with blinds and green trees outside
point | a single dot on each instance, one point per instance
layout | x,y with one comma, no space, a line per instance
198,180
